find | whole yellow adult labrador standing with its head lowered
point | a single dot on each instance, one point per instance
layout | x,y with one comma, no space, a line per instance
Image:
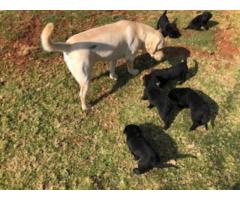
109,42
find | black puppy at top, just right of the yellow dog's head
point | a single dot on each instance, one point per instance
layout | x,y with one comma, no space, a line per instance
166,27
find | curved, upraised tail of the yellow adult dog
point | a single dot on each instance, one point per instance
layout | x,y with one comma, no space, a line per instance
50,46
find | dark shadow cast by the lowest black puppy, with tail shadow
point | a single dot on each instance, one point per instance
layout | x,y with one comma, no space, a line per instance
162,143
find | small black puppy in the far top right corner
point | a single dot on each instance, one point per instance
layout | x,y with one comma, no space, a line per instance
200,21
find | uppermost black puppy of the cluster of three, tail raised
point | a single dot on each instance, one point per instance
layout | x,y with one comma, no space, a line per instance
177,72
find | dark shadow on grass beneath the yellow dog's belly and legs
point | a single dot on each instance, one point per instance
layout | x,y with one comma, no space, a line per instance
141,62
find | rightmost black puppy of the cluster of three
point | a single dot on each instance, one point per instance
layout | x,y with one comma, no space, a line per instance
188,98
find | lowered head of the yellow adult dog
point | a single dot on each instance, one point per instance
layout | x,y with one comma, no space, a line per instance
154,44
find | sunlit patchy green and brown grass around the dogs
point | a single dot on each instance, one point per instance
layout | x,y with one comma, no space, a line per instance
48,142
